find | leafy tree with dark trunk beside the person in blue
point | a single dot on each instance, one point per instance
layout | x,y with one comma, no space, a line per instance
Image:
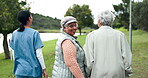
8,20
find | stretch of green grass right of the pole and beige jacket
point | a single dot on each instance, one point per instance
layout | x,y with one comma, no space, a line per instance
140,54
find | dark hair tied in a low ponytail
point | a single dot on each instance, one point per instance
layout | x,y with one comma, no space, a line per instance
23,17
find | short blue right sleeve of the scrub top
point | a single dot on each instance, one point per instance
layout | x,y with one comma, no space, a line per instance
37,41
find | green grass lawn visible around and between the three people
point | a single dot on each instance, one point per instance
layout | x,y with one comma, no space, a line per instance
139,60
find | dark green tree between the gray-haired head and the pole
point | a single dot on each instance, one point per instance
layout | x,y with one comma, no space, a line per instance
122,13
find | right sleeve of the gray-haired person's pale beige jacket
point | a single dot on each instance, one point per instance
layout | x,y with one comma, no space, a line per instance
127,56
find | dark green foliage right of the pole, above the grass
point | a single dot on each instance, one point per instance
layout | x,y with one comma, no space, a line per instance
140,15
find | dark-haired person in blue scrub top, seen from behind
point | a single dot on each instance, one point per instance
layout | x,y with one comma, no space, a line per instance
27,46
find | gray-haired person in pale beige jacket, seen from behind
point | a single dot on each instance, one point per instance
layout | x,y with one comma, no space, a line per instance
107,52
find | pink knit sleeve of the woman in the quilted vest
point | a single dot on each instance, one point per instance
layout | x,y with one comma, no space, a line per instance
69,52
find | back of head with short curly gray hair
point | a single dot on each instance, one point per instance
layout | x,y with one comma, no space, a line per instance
106,18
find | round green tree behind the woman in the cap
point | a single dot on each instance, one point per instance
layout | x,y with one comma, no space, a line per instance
82,14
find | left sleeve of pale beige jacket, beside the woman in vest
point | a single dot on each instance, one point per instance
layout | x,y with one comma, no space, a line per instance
89,53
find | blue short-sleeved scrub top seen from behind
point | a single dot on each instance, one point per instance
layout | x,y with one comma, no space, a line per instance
25,45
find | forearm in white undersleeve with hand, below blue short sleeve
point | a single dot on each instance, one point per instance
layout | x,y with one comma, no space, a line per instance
41,61
